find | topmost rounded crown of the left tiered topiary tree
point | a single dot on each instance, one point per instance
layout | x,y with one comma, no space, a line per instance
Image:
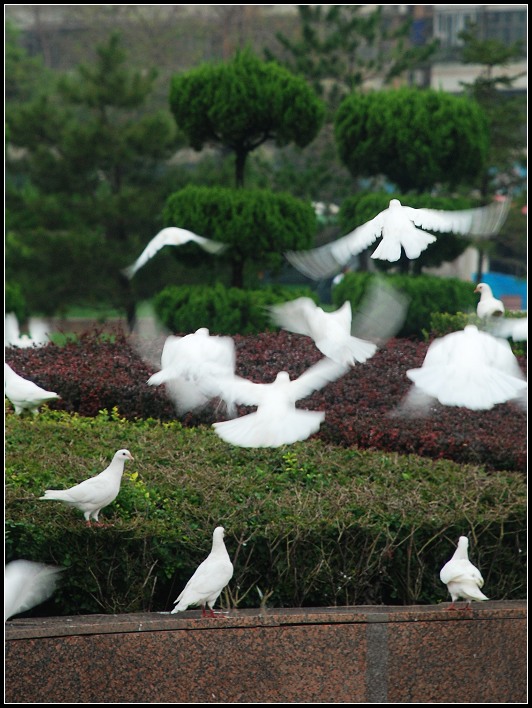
242,104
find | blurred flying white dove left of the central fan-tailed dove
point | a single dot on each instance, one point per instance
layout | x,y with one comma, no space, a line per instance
188,364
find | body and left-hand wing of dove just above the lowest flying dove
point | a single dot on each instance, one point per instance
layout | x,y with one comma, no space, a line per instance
331,331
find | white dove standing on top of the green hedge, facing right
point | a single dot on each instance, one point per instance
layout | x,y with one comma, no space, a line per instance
95,493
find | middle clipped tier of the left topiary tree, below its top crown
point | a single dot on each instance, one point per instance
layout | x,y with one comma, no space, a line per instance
258,225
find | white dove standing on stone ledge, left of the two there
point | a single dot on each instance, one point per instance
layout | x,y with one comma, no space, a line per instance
209,579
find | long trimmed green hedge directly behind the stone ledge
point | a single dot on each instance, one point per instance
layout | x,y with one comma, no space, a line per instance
307,524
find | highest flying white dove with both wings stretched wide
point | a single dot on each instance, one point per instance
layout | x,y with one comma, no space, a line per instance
398,226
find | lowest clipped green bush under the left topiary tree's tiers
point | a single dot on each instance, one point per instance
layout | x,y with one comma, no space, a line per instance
222,310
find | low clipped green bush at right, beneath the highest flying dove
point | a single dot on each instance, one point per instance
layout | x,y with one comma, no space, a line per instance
427,294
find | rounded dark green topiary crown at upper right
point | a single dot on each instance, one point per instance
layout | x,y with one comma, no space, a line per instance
415,138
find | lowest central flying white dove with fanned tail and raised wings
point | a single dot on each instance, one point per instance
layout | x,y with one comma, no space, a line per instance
276,421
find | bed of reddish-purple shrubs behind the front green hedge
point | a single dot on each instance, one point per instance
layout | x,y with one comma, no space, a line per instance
363,407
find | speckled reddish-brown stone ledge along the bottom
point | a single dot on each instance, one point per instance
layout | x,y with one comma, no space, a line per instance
363,654
